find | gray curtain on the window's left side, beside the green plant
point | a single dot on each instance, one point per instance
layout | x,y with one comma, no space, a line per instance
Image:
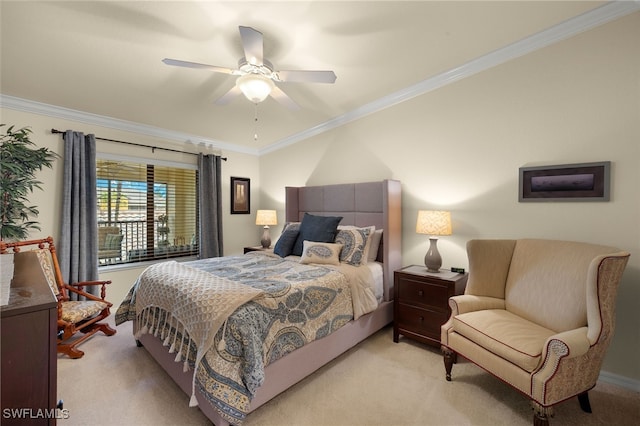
78,243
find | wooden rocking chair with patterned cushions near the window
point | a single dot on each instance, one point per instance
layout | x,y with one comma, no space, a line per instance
40,262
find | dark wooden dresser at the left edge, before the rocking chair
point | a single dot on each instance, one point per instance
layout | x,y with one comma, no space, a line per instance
29,358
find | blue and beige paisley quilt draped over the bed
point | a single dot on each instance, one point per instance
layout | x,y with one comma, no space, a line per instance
296,304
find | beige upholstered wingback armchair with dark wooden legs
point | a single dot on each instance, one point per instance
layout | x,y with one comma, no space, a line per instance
537,314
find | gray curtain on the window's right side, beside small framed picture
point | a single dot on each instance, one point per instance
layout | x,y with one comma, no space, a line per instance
210,208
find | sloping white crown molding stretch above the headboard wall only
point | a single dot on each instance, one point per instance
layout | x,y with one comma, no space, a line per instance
562,31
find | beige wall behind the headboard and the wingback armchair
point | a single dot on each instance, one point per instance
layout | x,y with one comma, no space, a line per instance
460,147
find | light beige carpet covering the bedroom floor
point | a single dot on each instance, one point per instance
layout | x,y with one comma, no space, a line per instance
378,382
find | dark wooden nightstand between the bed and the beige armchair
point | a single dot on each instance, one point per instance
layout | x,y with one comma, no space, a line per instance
421,302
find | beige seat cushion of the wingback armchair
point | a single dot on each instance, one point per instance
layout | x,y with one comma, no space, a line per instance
509,336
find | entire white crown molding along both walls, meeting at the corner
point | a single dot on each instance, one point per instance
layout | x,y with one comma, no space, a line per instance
569,28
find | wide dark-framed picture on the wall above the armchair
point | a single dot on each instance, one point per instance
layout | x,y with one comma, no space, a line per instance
566,182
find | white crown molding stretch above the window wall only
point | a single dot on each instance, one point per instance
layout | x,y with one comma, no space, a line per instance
34,107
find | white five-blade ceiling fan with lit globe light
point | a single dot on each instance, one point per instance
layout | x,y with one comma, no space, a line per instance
256,76
